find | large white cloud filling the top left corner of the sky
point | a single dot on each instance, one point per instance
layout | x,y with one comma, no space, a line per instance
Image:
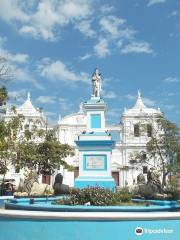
43,19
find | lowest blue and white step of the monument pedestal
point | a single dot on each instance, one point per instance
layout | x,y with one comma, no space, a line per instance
102,182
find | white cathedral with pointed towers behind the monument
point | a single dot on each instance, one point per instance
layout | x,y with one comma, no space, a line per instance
128,135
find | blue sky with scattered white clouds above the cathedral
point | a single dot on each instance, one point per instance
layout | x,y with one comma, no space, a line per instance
53,47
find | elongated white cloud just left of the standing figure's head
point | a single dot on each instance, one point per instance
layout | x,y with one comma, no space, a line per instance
57,70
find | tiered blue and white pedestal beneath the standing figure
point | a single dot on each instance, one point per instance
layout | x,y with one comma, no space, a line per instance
95,148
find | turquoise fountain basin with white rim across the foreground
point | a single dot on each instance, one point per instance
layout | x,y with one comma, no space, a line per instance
88,225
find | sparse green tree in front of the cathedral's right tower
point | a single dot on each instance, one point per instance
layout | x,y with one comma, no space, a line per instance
163,148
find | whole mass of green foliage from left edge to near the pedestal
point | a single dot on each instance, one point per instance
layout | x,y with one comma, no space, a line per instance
21,151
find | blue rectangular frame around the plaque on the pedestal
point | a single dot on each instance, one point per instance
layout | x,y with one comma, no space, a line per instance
104,168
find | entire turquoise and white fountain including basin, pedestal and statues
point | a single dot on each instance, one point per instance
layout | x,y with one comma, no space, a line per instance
37,218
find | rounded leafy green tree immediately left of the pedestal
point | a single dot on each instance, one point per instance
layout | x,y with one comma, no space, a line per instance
43,157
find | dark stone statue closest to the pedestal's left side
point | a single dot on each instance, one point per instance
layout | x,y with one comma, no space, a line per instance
60,188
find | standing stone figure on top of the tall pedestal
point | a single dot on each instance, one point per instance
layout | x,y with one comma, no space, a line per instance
96,83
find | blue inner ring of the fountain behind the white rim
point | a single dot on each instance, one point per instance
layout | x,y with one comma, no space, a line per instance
43,204
